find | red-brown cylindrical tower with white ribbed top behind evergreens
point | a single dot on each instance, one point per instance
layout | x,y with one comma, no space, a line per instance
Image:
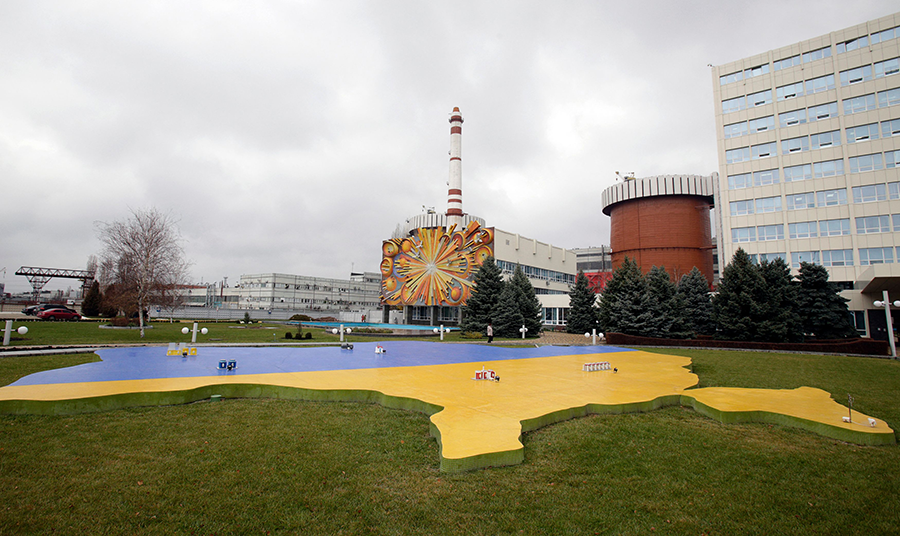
662,221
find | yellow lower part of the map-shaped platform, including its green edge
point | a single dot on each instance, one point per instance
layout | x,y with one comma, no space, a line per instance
479,423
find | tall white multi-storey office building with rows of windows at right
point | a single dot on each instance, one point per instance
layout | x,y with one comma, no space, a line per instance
809,148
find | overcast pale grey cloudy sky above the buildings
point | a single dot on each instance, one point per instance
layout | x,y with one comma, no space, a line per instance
293,136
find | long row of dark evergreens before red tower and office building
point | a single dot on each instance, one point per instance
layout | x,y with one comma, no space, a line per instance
753,302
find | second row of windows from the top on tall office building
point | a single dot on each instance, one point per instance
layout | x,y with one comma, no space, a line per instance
814,85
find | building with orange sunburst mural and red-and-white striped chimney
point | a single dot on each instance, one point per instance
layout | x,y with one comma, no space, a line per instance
428,267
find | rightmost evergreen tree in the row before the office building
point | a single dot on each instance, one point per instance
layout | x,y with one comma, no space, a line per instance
823,311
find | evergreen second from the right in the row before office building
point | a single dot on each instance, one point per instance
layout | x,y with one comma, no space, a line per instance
780,323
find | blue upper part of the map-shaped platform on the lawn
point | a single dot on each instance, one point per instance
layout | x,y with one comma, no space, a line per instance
151,362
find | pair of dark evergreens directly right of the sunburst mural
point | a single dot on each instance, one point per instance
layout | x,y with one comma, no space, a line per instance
506,305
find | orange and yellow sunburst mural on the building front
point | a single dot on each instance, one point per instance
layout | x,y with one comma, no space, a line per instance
433,266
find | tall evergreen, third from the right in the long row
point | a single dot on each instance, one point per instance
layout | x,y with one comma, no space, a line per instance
736,307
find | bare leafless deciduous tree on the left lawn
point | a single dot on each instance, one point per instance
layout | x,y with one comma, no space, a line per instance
143,258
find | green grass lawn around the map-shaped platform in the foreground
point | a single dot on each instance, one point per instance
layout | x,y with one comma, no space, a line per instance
286,467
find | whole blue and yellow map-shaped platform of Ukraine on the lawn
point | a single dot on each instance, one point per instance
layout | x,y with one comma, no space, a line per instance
477,423
